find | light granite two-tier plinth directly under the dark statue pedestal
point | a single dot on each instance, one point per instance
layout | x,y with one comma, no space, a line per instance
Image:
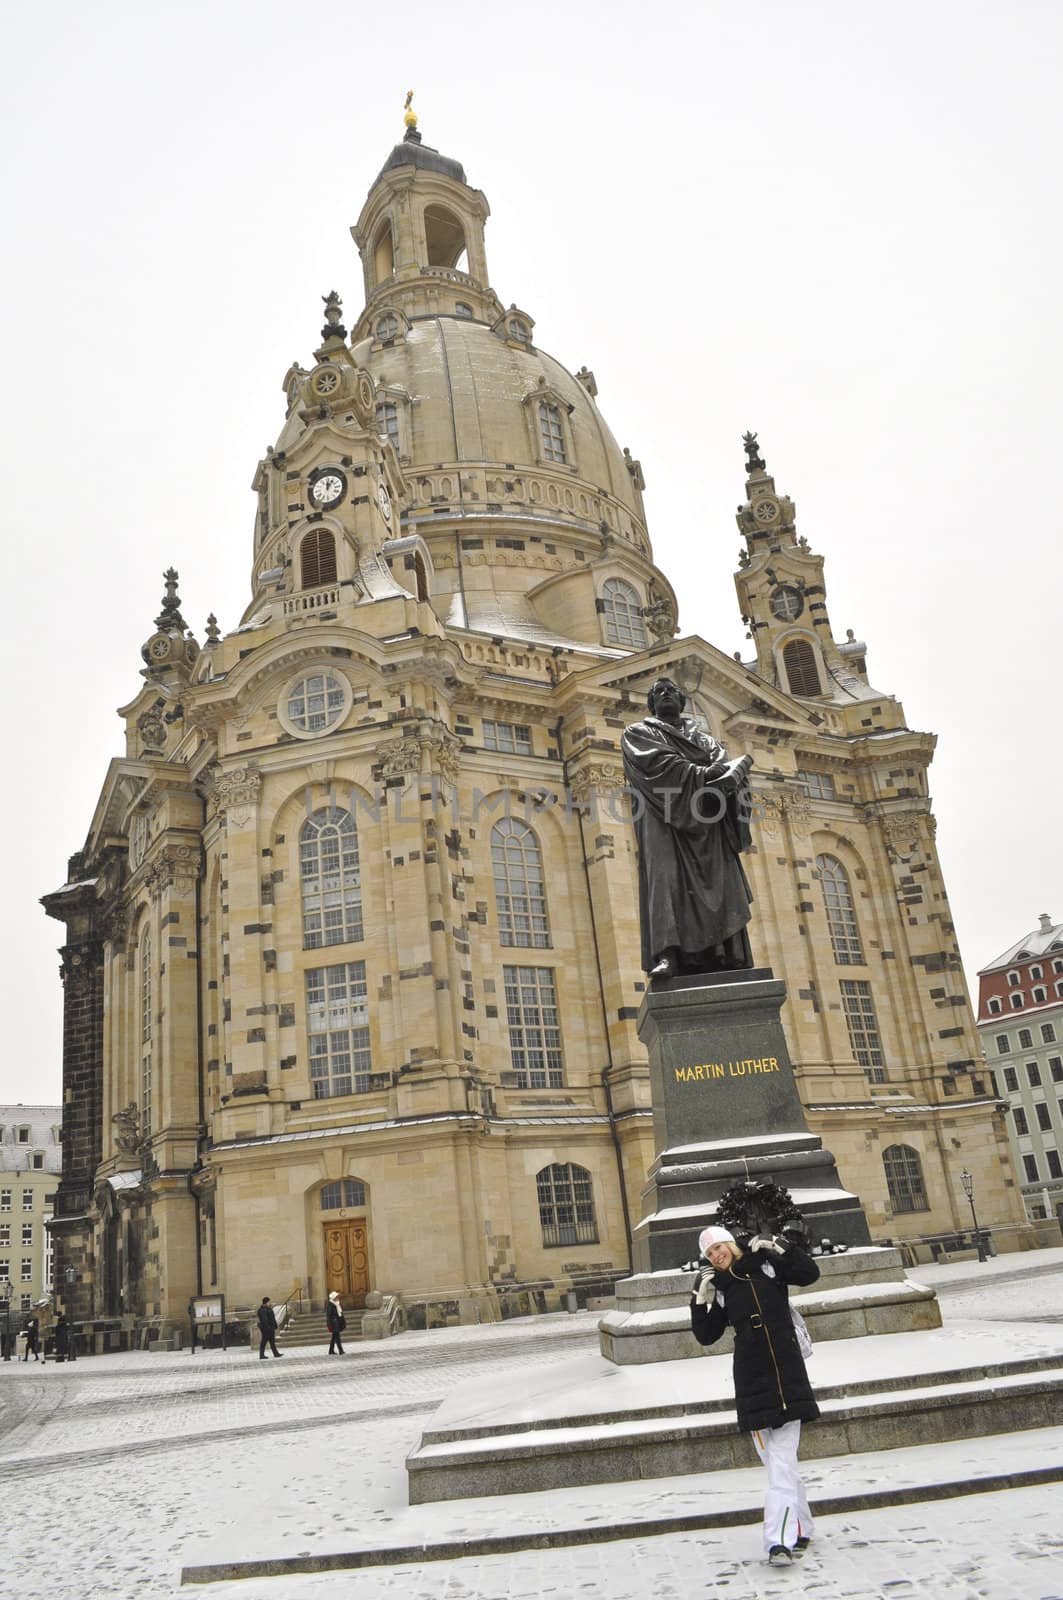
862,1292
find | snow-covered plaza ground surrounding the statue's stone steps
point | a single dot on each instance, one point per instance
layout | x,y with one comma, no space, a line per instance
124,1473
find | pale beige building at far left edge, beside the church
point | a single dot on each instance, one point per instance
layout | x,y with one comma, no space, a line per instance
31,1159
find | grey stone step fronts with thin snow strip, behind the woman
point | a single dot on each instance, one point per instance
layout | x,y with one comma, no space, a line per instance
702,1436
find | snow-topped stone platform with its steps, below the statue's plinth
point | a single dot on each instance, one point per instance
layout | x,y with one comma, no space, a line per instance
595,1423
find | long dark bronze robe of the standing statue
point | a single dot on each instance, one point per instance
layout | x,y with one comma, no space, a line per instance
692,823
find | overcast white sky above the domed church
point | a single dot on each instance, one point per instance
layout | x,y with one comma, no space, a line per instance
835,223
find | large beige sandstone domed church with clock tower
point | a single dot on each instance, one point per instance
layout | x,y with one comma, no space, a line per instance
351,974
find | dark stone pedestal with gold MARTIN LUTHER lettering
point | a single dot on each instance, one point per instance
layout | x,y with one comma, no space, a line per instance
726,1110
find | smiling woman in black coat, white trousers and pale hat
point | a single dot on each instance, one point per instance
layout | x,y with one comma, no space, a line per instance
748,1290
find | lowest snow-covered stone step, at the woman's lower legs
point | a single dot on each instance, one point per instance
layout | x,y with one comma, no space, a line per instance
510,1524
